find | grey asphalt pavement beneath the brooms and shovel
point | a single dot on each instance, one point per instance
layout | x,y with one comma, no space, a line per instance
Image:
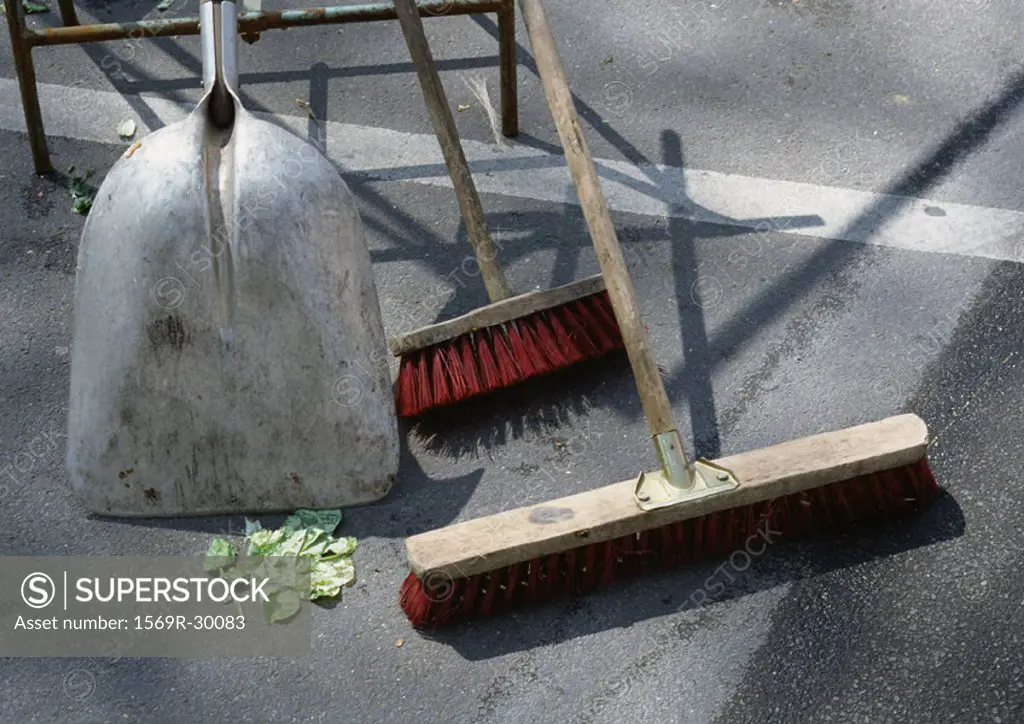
916,623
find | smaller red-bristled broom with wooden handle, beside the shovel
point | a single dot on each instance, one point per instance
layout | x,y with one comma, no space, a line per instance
513,339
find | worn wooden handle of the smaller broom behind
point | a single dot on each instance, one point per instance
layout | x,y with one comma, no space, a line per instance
448,138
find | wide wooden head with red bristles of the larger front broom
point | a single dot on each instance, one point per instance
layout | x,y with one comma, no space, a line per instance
559,569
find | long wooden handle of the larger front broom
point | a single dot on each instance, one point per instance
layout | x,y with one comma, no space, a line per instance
603,232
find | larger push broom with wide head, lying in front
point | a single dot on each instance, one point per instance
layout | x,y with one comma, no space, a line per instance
680,514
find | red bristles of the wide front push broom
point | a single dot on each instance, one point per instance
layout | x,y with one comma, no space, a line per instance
582,570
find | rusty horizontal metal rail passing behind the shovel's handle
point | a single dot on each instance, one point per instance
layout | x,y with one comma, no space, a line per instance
254,22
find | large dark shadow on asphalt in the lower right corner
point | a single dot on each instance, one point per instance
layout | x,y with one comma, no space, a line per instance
963,601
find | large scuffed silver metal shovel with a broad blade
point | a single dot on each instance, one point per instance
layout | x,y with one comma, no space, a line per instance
229,354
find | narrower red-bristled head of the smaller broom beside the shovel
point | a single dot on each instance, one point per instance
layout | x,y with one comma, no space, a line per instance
498,348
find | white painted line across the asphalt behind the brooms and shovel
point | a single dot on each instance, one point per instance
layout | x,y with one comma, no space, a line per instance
516,171
